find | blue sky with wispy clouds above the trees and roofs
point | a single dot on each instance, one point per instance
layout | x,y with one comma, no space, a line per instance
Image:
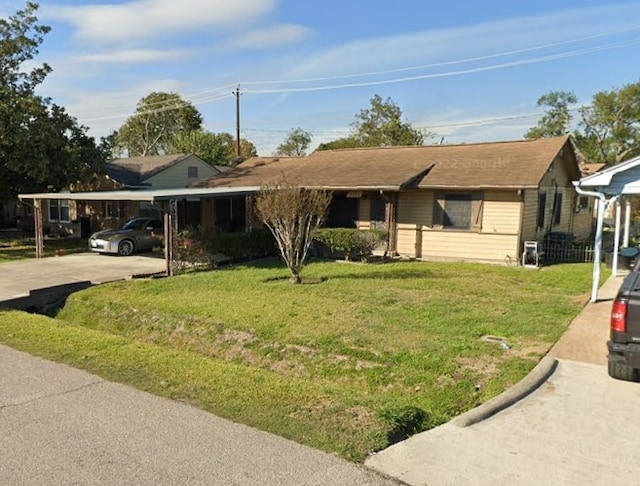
464,70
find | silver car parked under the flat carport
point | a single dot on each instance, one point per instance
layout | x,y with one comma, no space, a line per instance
137,234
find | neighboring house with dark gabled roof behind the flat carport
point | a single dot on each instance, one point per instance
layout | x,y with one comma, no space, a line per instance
141,173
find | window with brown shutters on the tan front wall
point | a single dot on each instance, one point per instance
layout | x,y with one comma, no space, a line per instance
458,210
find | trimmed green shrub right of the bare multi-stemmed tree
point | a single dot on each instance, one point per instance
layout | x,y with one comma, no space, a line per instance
349,243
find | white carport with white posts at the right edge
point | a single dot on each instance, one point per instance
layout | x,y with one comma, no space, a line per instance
612,186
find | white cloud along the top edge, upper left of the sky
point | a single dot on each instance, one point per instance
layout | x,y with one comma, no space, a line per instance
142,19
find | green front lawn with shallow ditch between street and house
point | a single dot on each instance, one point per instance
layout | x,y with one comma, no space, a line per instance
357,358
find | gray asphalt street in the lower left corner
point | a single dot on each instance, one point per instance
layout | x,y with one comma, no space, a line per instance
63,426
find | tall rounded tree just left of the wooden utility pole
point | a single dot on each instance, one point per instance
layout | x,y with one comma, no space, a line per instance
159,117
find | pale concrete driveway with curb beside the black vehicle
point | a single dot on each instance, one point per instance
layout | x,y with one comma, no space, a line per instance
579,427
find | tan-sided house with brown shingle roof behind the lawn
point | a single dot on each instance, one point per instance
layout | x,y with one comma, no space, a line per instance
474,202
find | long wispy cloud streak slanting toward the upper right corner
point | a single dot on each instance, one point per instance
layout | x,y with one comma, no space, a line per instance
464,42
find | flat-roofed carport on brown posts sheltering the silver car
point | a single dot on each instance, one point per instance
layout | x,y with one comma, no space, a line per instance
164,199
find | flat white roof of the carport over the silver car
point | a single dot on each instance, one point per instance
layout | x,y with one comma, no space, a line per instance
145,195
